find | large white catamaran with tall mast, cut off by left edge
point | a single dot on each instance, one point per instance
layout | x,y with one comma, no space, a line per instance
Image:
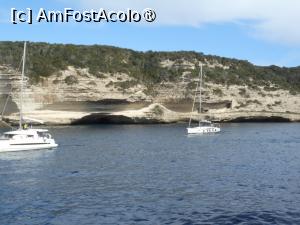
25,138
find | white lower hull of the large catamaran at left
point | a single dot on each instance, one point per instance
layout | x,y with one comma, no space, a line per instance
27,147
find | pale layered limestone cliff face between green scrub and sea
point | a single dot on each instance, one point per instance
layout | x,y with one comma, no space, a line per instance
75,95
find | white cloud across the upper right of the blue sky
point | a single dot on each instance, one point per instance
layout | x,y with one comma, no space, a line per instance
273,20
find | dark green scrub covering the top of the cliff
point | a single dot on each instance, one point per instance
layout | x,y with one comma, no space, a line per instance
45,59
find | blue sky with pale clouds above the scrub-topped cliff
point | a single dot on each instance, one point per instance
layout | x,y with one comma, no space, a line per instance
264,32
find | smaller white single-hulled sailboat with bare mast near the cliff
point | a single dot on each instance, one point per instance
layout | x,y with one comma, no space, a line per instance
204,126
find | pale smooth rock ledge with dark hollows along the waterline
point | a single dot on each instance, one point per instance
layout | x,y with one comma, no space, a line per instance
152,114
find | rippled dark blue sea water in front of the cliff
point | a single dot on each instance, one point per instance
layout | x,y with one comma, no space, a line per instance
156,174
